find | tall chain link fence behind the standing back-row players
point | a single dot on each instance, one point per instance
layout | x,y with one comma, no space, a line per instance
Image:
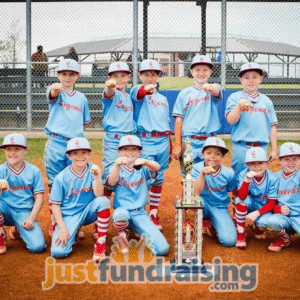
171,32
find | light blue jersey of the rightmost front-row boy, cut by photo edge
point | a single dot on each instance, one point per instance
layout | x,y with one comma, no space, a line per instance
289,191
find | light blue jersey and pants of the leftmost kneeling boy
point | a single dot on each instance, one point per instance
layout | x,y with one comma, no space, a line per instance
16,203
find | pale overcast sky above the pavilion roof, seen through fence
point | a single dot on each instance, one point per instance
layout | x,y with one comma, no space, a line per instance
59,24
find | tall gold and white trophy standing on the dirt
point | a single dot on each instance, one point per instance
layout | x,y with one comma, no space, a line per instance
188,217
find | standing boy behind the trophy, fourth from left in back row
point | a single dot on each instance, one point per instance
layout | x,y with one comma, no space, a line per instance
195,111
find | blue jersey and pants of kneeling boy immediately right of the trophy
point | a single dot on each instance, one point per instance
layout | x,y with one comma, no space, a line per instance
216,200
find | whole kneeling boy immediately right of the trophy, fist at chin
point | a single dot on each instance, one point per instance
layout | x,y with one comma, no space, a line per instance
213,181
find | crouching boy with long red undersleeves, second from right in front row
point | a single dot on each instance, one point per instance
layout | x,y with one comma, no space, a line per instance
257,195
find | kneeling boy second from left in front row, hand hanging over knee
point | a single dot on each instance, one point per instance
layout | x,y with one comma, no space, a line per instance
76,201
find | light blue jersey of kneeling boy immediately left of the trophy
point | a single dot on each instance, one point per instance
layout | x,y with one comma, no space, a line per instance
131,190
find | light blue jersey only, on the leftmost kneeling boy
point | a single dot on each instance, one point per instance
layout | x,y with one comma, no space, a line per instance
23,185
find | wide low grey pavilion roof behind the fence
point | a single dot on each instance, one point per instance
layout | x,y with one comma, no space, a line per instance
177,44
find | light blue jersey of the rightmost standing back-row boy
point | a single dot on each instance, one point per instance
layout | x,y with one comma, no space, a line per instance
254,125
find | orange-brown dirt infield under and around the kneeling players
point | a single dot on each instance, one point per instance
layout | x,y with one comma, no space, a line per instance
22,273
